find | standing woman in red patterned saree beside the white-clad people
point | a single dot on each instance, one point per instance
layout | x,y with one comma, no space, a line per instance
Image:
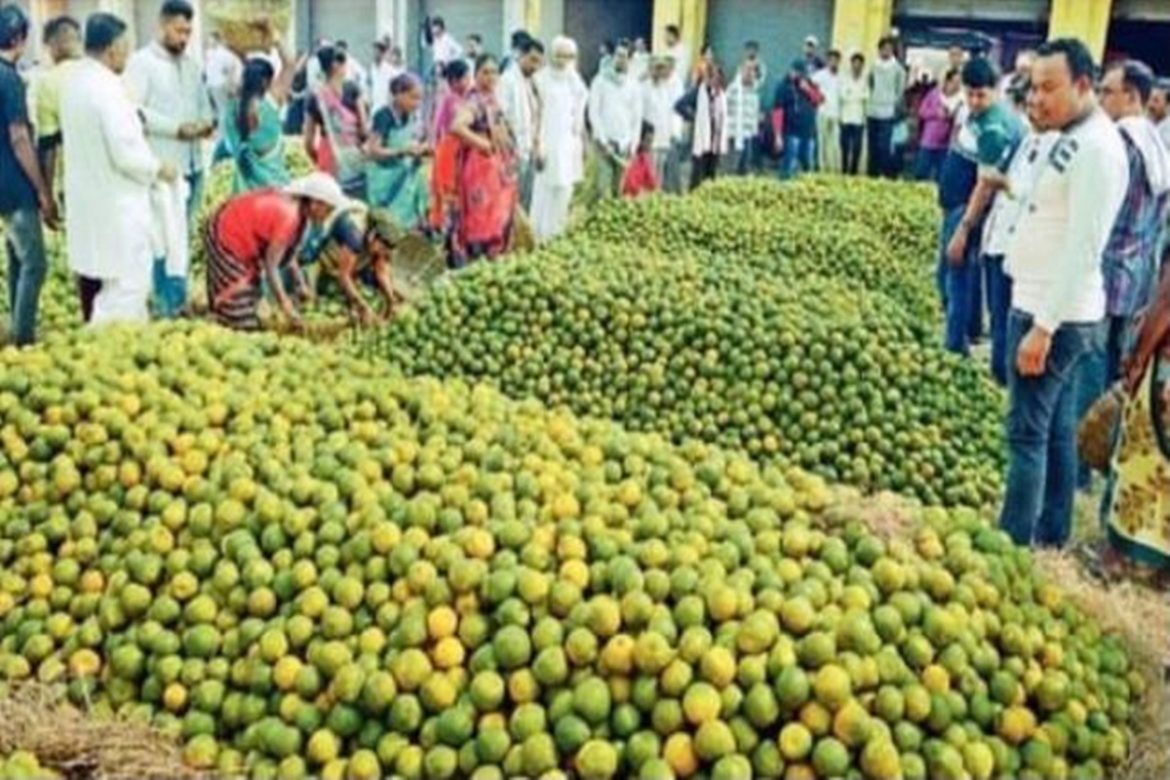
488,185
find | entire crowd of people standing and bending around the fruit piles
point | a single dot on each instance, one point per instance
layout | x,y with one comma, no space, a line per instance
1054,187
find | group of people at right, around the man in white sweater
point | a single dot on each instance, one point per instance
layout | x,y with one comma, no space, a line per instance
1055,198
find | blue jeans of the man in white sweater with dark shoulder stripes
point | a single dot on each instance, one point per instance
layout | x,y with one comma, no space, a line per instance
1042,434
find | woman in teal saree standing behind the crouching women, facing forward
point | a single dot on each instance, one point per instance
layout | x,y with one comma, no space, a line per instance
396,180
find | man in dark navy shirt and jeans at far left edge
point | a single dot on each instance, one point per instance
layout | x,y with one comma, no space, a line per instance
24,195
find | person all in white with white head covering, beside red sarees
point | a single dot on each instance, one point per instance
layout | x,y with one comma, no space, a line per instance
560,147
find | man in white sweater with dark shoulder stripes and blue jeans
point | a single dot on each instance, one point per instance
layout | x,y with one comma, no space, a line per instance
1058,291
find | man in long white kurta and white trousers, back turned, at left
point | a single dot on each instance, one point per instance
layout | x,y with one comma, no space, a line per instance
109,171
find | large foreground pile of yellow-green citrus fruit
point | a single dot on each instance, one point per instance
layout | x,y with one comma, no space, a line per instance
306,567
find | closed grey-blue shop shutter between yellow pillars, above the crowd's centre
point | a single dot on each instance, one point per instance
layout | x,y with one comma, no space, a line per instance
780,27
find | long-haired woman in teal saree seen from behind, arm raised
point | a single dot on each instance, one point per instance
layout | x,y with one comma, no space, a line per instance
254,136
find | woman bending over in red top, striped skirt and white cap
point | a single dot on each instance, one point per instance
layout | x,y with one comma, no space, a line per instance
254,238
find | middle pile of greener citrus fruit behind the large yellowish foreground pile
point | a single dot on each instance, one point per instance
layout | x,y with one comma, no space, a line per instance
810,372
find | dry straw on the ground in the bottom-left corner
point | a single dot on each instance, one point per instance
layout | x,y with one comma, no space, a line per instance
80,747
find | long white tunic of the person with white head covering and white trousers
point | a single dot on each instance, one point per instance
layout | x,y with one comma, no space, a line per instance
563,98
